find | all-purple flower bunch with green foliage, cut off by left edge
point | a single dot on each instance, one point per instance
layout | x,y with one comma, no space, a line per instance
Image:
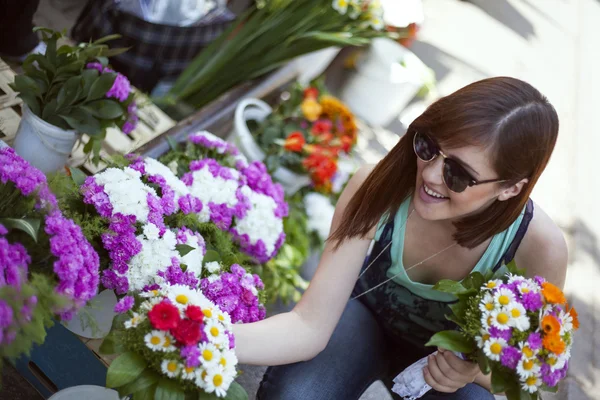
47,267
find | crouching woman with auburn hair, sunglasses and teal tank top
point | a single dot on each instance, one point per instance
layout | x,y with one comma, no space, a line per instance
450,198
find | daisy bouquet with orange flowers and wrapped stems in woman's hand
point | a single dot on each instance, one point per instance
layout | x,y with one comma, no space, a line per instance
519,329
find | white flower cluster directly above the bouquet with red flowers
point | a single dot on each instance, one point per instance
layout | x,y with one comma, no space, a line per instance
155,255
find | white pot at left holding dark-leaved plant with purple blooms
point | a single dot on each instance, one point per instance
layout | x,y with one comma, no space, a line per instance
43,145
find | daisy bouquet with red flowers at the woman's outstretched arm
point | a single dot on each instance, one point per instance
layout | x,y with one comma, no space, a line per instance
175,343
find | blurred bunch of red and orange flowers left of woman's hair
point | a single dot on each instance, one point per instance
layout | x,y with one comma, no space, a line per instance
308,133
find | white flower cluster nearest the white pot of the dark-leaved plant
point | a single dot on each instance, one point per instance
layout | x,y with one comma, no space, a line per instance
126,192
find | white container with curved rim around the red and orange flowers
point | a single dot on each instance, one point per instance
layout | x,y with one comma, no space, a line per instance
258,110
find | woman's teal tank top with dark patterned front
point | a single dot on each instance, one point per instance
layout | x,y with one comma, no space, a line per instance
412,311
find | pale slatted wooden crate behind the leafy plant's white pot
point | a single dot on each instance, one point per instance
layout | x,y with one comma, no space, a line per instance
153,122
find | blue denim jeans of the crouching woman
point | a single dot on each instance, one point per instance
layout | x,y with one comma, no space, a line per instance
357,354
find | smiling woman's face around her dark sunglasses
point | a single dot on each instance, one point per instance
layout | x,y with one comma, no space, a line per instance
453,205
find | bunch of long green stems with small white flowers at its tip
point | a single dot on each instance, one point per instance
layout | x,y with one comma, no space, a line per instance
270,34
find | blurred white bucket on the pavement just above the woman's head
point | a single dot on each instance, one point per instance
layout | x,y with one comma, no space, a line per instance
381,87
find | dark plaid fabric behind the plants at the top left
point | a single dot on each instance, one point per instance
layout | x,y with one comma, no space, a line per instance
157,51
